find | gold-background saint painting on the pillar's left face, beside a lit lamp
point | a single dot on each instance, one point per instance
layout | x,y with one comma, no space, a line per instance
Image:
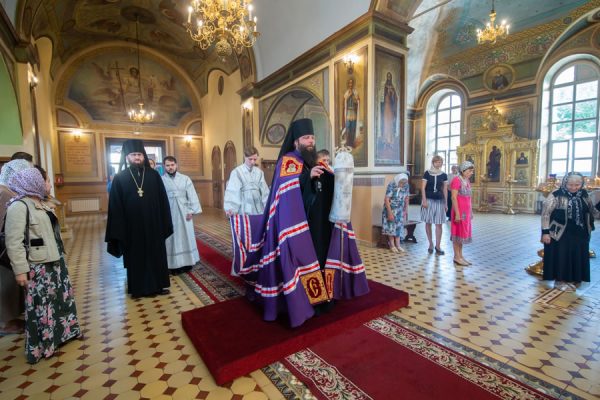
351,107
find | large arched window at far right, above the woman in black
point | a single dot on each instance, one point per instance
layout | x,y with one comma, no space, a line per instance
572,118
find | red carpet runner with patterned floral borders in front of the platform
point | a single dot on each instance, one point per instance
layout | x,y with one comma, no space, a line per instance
383,360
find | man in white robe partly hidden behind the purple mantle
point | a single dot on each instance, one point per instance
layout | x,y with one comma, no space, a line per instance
247,192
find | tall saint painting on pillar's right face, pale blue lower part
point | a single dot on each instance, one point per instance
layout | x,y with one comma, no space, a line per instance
388,102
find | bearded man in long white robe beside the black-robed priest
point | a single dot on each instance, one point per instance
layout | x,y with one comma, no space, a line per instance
182,252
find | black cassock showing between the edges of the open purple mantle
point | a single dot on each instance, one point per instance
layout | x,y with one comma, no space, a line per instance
317,195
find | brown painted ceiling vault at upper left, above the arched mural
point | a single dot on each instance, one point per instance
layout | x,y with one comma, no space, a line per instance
74,25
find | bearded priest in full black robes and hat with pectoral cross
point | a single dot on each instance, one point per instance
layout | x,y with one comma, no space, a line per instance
139,221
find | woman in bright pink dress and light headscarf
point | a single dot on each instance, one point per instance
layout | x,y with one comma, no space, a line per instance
461,215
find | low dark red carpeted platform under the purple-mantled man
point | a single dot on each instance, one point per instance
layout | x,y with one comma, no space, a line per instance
233,340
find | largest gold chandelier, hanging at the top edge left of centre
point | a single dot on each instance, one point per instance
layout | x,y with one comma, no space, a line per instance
227,23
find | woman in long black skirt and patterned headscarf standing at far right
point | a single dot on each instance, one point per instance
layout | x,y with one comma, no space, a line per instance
567,223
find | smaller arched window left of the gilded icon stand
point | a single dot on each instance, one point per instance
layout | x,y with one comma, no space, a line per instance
444,120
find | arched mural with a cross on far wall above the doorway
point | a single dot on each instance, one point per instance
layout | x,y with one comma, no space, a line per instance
106,86
